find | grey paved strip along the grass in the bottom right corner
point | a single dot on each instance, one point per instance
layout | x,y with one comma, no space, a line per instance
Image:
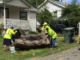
71,54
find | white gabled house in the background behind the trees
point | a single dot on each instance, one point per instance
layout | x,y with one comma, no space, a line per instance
55,7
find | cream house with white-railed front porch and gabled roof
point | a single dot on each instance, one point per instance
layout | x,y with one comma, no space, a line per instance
17,13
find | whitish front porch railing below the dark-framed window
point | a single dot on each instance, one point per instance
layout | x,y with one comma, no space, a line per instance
23,24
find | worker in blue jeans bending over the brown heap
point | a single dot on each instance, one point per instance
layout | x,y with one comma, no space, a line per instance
53,35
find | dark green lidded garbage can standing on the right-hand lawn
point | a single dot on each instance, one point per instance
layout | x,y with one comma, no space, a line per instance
68,34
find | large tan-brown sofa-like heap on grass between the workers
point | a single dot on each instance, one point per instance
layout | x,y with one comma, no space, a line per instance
38,40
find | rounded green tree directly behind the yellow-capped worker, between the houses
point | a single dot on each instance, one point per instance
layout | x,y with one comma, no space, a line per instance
44,16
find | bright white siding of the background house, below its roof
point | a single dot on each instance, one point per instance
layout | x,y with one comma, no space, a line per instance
52,7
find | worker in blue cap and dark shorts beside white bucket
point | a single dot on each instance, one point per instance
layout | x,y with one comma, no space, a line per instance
7,37
